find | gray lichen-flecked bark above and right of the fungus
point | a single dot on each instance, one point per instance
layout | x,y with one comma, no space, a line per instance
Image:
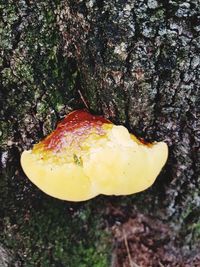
139,65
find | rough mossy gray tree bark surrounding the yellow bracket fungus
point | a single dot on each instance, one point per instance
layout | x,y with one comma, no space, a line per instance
138,64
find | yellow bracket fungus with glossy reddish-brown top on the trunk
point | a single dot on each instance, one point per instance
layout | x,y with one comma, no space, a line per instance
87,155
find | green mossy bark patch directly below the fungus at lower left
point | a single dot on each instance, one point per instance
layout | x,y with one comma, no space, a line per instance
43,231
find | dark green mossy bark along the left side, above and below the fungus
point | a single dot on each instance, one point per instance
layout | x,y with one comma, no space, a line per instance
37,89
